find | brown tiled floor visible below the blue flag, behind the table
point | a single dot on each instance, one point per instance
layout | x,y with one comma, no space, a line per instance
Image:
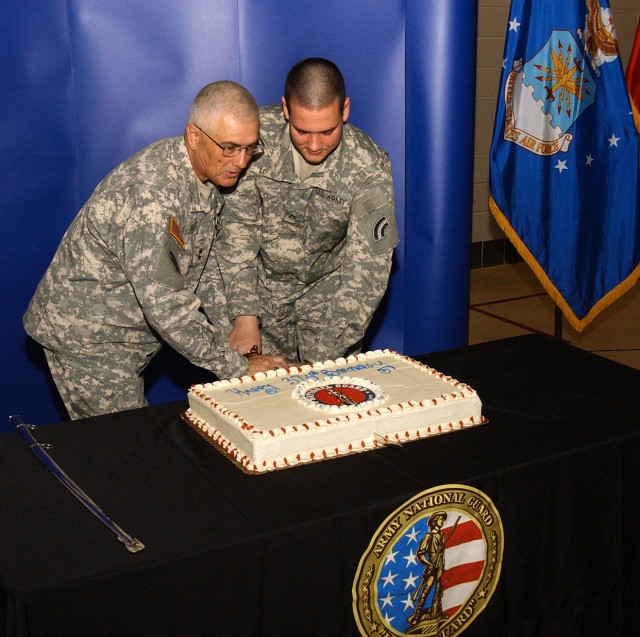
508,300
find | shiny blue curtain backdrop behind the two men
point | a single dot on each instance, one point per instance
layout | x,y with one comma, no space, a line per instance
86,83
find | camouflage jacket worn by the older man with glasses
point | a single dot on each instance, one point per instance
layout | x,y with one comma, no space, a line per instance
130,270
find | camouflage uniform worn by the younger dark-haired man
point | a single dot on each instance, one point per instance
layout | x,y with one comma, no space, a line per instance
311,258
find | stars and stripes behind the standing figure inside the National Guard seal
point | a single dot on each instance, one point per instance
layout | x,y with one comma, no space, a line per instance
400,577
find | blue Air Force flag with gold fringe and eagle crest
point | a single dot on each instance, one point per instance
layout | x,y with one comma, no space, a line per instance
564,155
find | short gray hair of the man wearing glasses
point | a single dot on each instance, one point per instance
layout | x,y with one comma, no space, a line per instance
223,98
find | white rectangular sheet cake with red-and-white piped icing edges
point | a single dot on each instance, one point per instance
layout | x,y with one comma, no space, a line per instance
314,412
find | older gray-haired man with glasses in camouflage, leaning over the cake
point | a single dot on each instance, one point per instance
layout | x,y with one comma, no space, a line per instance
130,270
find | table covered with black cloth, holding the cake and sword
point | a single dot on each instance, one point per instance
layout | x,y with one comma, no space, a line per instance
235,554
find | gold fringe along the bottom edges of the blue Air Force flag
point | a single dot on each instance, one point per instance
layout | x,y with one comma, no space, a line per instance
575,322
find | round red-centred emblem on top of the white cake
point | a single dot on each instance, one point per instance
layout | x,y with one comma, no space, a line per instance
339,394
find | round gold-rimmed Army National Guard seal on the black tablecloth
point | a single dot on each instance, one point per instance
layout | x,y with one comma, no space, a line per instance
431,567
